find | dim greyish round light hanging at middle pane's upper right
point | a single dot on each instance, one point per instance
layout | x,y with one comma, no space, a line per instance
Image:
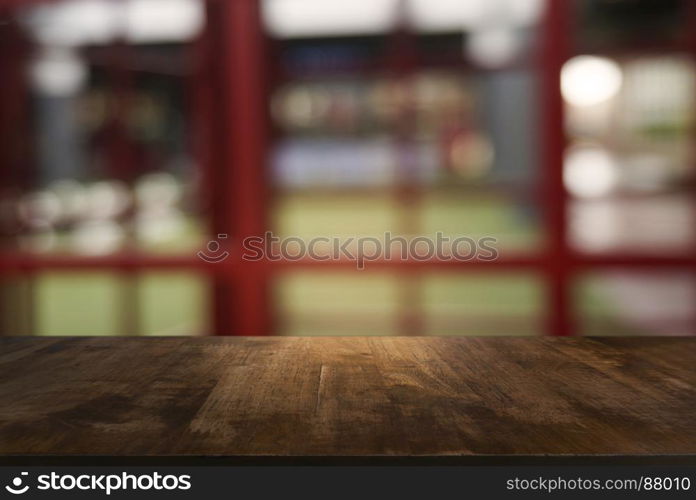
492,48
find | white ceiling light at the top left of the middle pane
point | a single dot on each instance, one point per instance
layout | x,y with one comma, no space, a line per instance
296,18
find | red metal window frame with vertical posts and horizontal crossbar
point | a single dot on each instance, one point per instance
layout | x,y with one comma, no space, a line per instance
232,134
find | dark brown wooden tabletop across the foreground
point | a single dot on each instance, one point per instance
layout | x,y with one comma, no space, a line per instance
457,399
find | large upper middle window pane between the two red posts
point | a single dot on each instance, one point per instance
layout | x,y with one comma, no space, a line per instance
409,130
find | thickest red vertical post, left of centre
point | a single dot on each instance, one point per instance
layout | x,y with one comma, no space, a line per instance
245,135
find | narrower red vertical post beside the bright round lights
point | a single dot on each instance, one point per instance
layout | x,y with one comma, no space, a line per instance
554,52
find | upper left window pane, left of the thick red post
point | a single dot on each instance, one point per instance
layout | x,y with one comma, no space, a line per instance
106,154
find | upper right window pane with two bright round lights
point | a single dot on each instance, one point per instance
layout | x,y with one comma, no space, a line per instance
630,162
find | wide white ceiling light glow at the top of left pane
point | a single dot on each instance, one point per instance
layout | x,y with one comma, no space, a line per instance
83,22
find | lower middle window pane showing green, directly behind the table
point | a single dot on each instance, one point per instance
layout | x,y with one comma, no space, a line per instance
388,304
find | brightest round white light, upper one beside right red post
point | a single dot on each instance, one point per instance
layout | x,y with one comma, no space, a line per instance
590,80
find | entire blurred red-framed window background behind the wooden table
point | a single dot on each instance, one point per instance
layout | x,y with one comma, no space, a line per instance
134,132
